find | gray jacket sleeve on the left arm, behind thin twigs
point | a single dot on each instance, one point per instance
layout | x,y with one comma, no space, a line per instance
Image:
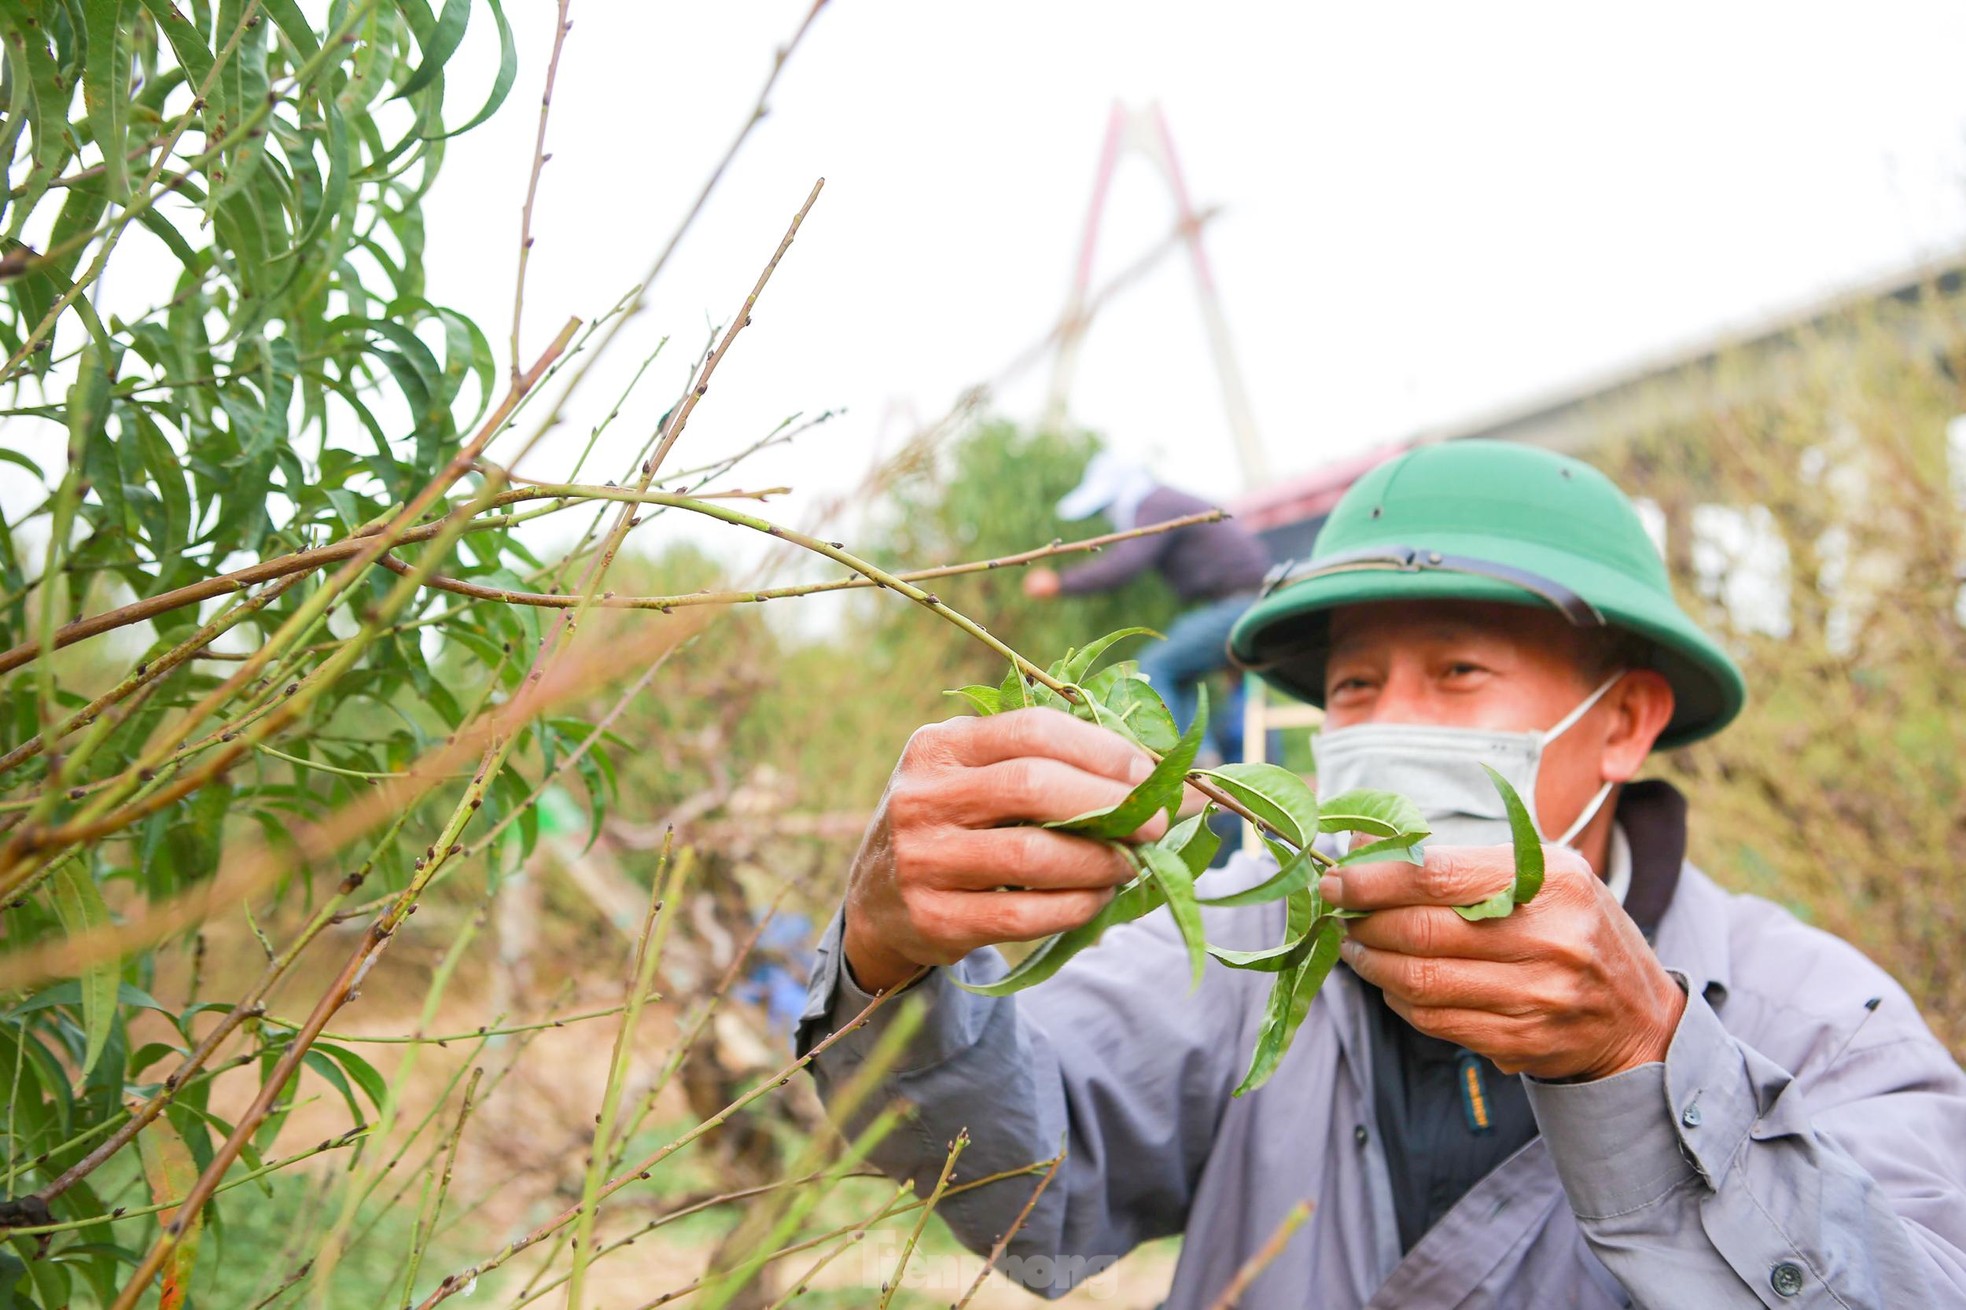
1133,1091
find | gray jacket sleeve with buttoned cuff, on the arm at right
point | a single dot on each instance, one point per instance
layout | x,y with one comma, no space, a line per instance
1719,1179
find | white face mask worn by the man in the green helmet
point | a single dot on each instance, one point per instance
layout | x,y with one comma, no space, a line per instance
1442,772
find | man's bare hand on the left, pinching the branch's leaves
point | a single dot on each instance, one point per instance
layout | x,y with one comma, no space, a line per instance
954,859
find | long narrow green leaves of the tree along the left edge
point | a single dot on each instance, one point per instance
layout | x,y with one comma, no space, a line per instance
290,385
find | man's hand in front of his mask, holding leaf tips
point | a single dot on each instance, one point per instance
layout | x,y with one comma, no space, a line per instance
1562,988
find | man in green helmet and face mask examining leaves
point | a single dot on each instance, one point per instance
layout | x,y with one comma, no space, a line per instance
1639,1089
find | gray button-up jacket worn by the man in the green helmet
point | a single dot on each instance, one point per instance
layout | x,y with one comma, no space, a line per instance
1802,1146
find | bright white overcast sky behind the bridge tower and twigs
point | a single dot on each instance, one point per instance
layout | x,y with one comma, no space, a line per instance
1430,209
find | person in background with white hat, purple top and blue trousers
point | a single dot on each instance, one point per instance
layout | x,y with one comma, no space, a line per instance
1216,569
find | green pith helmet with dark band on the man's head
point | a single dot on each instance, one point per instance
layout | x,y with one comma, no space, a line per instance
1489,520
